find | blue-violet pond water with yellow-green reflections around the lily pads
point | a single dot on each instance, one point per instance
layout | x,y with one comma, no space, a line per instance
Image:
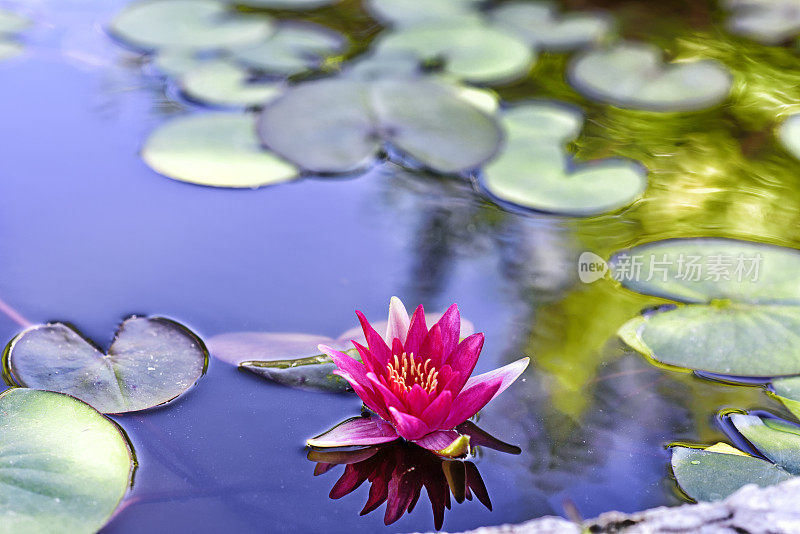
91,235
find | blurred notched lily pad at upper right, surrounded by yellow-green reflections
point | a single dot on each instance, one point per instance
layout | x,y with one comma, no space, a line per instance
633,75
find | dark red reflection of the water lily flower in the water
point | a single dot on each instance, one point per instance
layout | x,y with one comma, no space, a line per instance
397,472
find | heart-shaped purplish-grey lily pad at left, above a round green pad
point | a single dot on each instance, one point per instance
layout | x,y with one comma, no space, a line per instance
151,361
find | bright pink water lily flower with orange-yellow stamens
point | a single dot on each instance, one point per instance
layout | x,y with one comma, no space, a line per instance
417,381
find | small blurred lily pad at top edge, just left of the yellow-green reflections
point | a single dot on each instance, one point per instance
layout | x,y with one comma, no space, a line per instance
540,24
